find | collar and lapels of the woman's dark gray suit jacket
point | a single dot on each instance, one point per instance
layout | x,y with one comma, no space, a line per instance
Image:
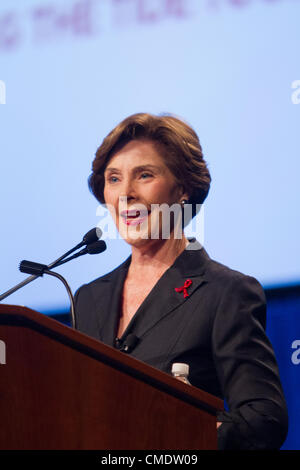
161,301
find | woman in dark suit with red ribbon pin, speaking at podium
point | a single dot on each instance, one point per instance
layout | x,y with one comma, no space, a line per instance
172,300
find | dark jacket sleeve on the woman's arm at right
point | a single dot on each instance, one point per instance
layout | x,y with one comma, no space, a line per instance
247,370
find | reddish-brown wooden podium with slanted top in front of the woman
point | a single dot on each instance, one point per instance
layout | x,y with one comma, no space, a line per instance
61,389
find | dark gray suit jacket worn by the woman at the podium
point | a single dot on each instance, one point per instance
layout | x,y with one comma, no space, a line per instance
218,329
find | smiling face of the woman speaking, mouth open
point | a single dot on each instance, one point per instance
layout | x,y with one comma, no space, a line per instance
137,177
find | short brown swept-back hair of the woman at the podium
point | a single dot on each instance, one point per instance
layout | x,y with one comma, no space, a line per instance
177,142
